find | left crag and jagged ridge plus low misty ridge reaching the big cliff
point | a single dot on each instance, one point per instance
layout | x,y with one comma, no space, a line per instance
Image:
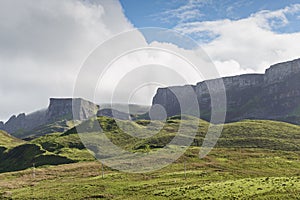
59,116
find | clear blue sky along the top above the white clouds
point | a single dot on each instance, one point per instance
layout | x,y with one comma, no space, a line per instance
159,13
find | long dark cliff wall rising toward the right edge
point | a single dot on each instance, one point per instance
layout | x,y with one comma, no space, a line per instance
273,95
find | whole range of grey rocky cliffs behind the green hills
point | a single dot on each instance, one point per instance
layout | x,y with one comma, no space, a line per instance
274,95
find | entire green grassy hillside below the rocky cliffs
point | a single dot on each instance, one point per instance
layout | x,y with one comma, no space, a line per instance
252,160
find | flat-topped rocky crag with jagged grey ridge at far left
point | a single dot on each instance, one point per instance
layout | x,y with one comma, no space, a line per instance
58,109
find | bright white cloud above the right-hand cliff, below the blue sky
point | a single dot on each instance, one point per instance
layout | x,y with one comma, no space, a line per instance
252,43
